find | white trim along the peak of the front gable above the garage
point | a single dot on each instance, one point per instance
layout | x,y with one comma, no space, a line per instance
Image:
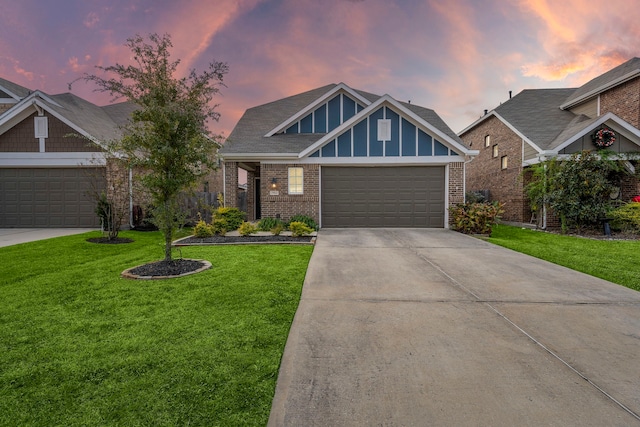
386,101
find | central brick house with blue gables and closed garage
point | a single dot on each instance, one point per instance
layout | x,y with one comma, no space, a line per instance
346,158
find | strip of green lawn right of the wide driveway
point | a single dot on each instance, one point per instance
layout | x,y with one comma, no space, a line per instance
617,261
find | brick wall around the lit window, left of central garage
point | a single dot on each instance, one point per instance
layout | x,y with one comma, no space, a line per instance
285,205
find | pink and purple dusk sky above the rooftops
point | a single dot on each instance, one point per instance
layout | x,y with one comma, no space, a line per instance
457,57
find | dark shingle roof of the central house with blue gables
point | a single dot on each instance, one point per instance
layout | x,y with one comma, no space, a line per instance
248,136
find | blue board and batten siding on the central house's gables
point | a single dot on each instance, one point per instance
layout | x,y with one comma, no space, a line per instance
361,140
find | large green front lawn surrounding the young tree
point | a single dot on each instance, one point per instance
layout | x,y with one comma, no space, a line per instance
81,346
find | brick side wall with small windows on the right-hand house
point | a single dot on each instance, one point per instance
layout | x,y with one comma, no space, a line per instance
485,171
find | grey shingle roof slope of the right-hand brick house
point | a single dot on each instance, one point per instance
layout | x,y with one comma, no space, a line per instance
535,113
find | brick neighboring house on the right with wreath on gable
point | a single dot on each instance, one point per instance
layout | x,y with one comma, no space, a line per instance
540,124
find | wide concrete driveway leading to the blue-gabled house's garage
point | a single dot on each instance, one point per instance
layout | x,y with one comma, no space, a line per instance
430,327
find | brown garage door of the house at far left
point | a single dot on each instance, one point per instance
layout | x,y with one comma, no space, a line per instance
48,197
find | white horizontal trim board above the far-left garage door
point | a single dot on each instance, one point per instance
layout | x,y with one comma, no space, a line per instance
16,160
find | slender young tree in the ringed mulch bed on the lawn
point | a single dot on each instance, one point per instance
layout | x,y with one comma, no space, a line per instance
167,136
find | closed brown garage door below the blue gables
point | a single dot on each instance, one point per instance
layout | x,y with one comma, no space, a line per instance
410,196
